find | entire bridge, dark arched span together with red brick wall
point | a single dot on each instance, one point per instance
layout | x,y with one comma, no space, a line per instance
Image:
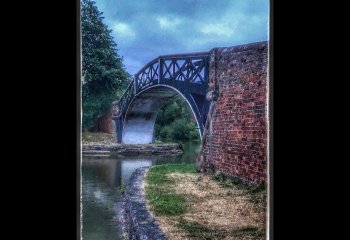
226,89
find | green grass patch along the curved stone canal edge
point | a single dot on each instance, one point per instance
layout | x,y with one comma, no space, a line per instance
157,191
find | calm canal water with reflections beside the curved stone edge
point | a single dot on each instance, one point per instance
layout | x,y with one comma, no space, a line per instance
101,181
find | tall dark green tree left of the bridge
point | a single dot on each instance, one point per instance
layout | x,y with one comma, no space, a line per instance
104,75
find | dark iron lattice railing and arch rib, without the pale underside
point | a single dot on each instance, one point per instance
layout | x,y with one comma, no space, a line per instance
188,73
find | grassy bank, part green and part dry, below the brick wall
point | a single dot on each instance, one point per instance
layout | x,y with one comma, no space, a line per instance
190,205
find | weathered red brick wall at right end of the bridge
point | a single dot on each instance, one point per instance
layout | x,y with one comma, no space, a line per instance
236,143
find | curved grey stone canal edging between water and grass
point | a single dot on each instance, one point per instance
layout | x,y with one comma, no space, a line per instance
137,221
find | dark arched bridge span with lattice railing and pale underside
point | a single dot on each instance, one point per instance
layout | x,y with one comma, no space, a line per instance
157,82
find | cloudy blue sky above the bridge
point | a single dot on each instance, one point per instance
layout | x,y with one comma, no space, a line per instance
146,29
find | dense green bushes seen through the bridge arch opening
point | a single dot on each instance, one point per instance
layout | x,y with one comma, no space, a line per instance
175,123
